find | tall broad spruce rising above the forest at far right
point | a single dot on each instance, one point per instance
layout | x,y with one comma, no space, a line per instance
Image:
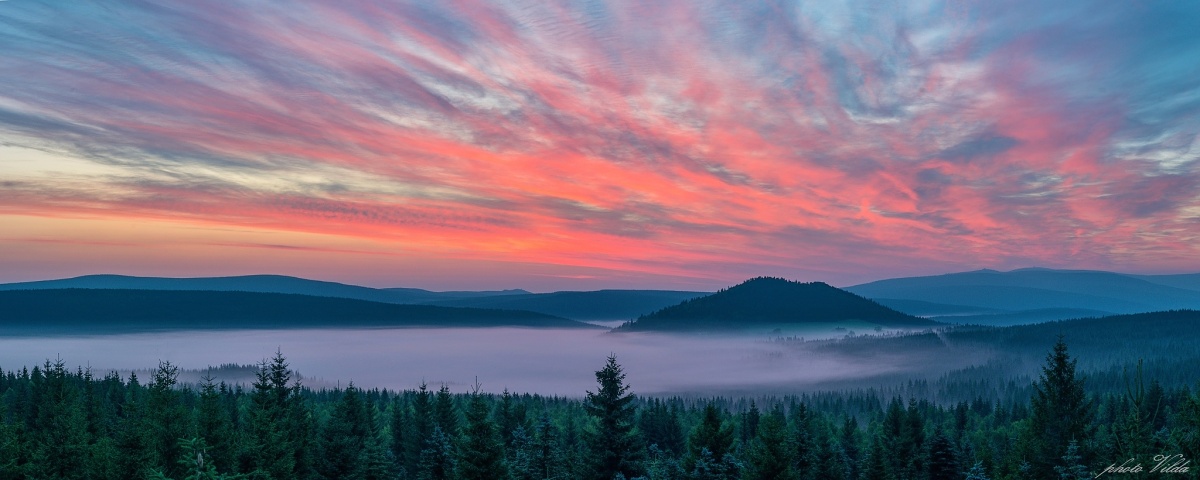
1061,411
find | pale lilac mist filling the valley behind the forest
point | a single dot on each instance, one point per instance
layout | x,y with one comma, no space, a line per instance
523,361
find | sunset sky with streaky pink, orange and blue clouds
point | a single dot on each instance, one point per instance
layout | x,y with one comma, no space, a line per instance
580,145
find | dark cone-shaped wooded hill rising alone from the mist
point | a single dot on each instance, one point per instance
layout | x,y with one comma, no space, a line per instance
772,302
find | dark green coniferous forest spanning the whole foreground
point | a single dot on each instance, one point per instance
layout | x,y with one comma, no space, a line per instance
64,424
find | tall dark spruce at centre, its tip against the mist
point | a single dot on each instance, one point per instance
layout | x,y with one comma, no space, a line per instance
614,445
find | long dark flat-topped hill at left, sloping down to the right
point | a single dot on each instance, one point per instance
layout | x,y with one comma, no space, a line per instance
81,311
